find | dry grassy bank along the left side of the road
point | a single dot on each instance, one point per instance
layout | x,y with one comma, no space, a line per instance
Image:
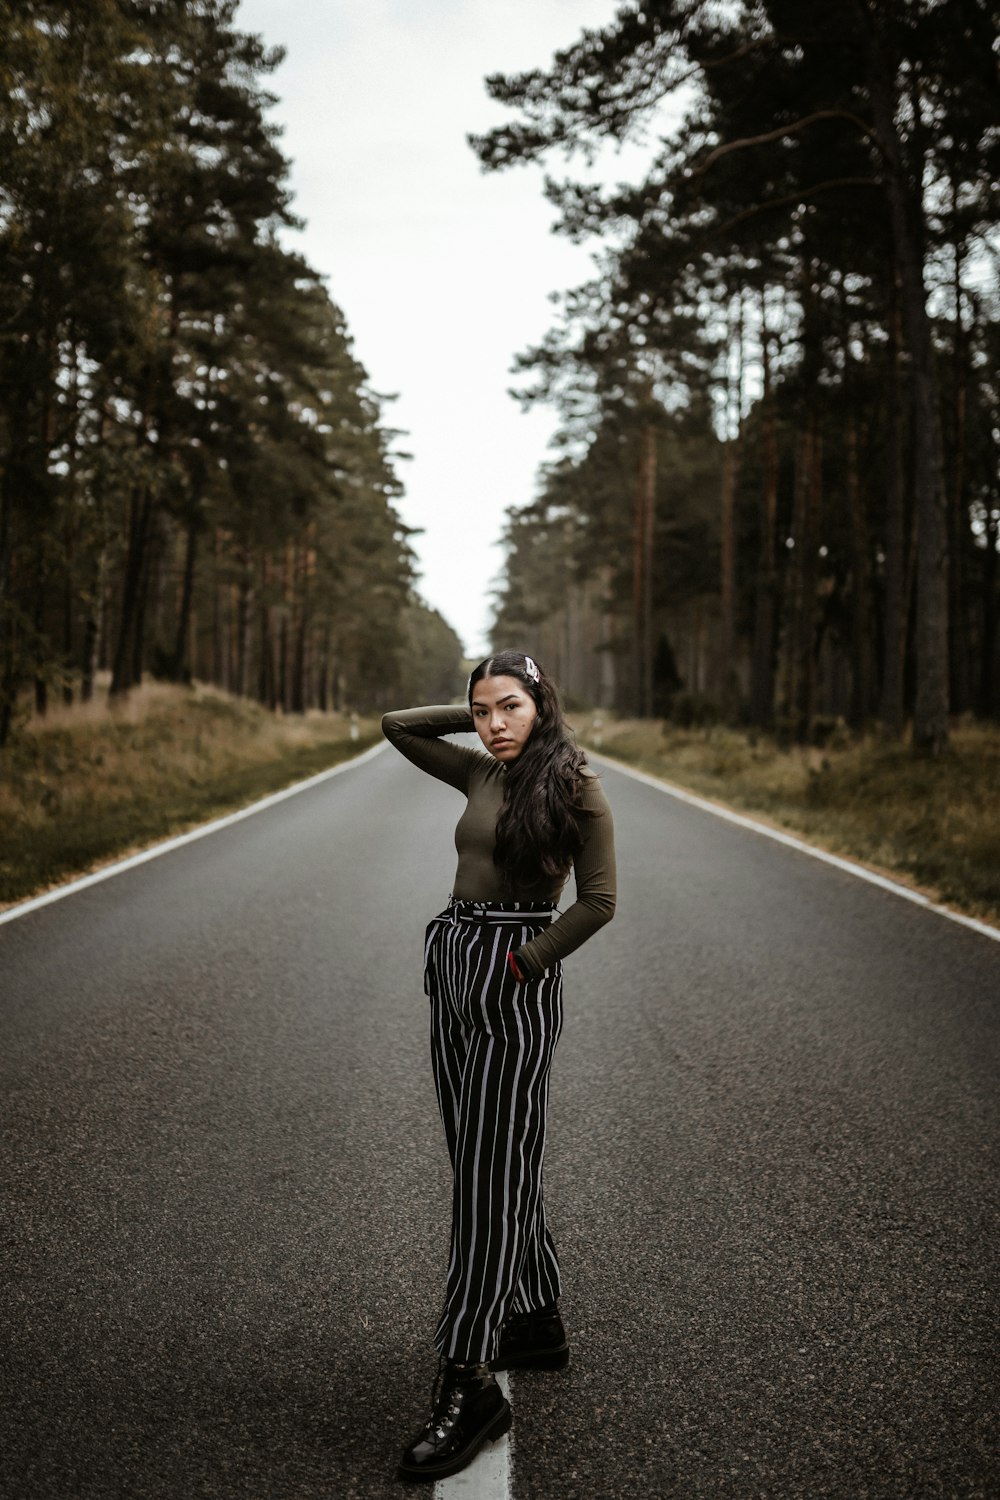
92,784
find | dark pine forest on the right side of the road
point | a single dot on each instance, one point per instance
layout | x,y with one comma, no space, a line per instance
776,493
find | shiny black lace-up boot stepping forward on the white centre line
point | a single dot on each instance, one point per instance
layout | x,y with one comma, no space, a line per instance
470,1411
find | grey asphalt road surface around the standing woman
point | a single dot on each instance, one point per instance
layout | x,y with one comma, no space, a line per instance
773,1174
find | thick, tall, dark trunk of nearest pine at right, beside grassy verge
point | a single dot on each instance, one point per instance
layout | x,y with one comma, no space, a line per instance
906,217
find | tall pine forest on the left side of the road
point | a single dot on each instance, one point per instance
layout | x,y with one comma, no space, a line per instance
197,479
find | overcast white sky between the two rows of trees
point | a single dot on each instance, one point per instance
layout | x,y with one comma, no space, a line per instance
443,272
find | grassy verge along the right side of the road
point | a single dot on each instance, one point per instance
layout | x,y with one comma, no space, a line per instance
932,824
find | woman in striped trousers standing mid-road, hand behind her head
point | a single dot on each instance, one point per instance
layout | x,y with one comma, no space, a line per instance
494,976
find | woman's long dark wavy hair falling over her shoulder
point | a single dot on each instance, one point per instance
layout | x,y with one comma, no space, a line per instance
539,823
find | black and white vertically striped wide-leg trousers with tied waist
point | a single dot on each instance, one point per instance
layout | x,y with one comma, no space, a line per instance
493,1043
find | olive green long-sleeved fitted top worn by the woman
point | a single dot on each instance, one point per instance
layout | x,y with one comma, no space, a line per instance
419,734
